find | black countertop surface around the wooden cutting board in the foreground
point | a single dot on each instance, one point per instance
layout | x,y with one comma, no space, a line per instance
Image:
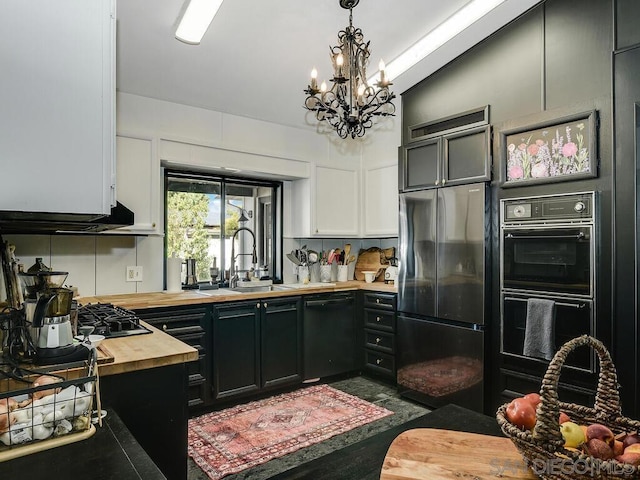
363,460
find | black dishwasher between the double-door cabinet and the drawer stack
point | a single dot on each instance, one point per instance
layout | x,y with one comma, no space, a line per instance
330,341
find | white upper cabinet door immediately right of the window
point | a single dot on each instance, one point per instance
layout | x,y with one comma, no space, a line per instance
337,206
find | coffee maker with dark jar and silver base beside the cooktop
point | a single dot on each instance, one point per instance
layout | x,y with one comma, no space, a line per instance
47,308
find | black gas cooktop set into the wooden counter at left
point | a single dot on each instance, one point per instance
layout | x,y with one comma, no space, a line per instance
110,320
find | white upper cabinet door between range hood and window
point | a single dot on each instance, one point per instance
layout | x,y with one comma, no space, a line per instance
139,183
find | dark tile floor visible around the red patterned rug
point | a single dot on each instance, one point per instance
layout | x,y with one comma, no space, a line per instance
366,388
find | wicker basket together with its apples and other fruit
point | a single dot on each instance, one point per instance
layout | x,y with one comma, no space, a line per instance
566,441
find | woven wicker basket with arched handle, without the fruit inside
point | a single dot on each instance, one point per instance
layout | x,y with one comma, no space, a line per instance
543,448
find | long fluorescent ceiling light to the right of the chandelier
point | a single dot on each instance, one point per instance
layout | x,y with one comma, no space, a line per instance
444,32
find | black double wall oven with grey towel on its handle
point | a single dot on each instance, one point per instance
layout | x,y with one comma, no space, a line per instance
547,261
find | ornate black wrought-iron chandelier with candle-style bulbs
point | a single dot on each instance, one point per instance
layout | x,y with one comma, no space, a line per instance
351,104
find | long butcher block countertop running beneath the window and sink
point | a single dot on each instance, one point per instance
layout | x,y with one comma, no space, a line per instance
136,301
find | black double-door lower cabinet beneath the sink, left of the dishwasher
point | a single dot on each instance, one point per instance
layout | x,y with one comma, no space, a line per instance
256,345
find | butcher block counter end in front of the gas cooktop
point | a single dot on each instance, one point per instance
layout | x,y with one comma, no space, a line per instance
139,352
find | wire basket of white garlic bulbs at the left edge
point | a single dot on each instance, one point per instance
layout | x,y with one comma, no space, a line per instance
45,408
